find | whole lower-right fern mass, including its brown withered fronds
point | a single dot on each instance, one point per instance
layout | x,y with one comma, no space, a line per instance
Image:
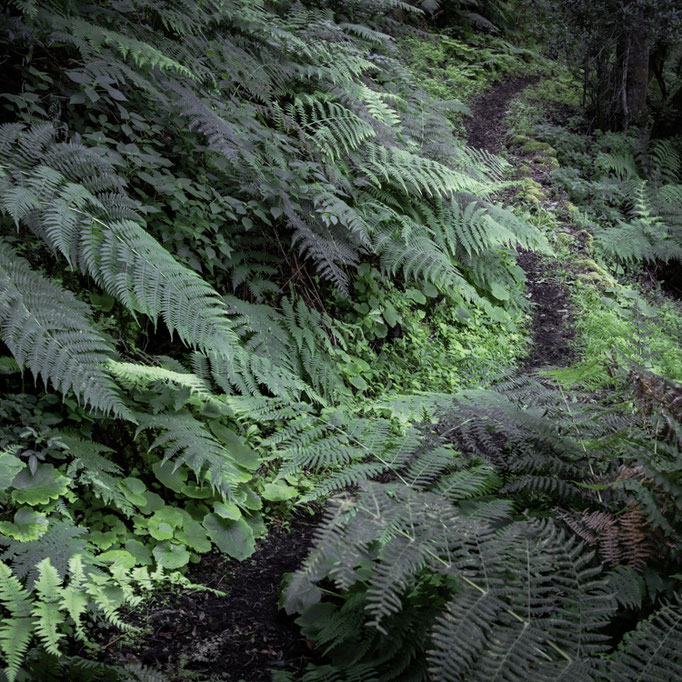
526,598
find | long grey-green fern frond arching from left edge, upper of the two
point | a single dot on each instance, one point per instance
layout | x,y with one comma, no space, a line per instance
88,232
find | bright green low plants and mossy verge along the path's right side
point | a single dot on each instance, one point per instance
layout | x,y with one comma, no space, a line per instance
613,321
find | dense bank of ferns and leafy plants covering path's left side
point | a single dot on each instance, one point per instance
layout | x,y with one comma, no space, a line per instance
229,234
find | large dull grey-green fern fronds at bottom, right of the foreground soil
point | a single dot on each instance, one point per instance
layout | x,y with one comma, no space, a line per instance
526,628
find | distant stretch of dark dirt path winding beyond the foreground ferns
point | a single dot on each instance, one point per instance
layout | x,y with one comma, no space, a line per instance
552,328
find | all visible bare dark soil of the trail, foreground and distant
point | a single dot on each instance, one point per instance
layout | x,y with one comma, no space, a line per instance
241,635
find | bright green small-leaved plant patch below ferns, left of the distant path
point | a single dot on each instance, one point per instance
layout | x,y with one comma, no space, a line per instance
405,340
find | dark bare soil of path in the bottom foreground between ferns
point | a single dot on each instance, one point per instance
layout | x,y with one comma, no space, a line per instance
239,636
